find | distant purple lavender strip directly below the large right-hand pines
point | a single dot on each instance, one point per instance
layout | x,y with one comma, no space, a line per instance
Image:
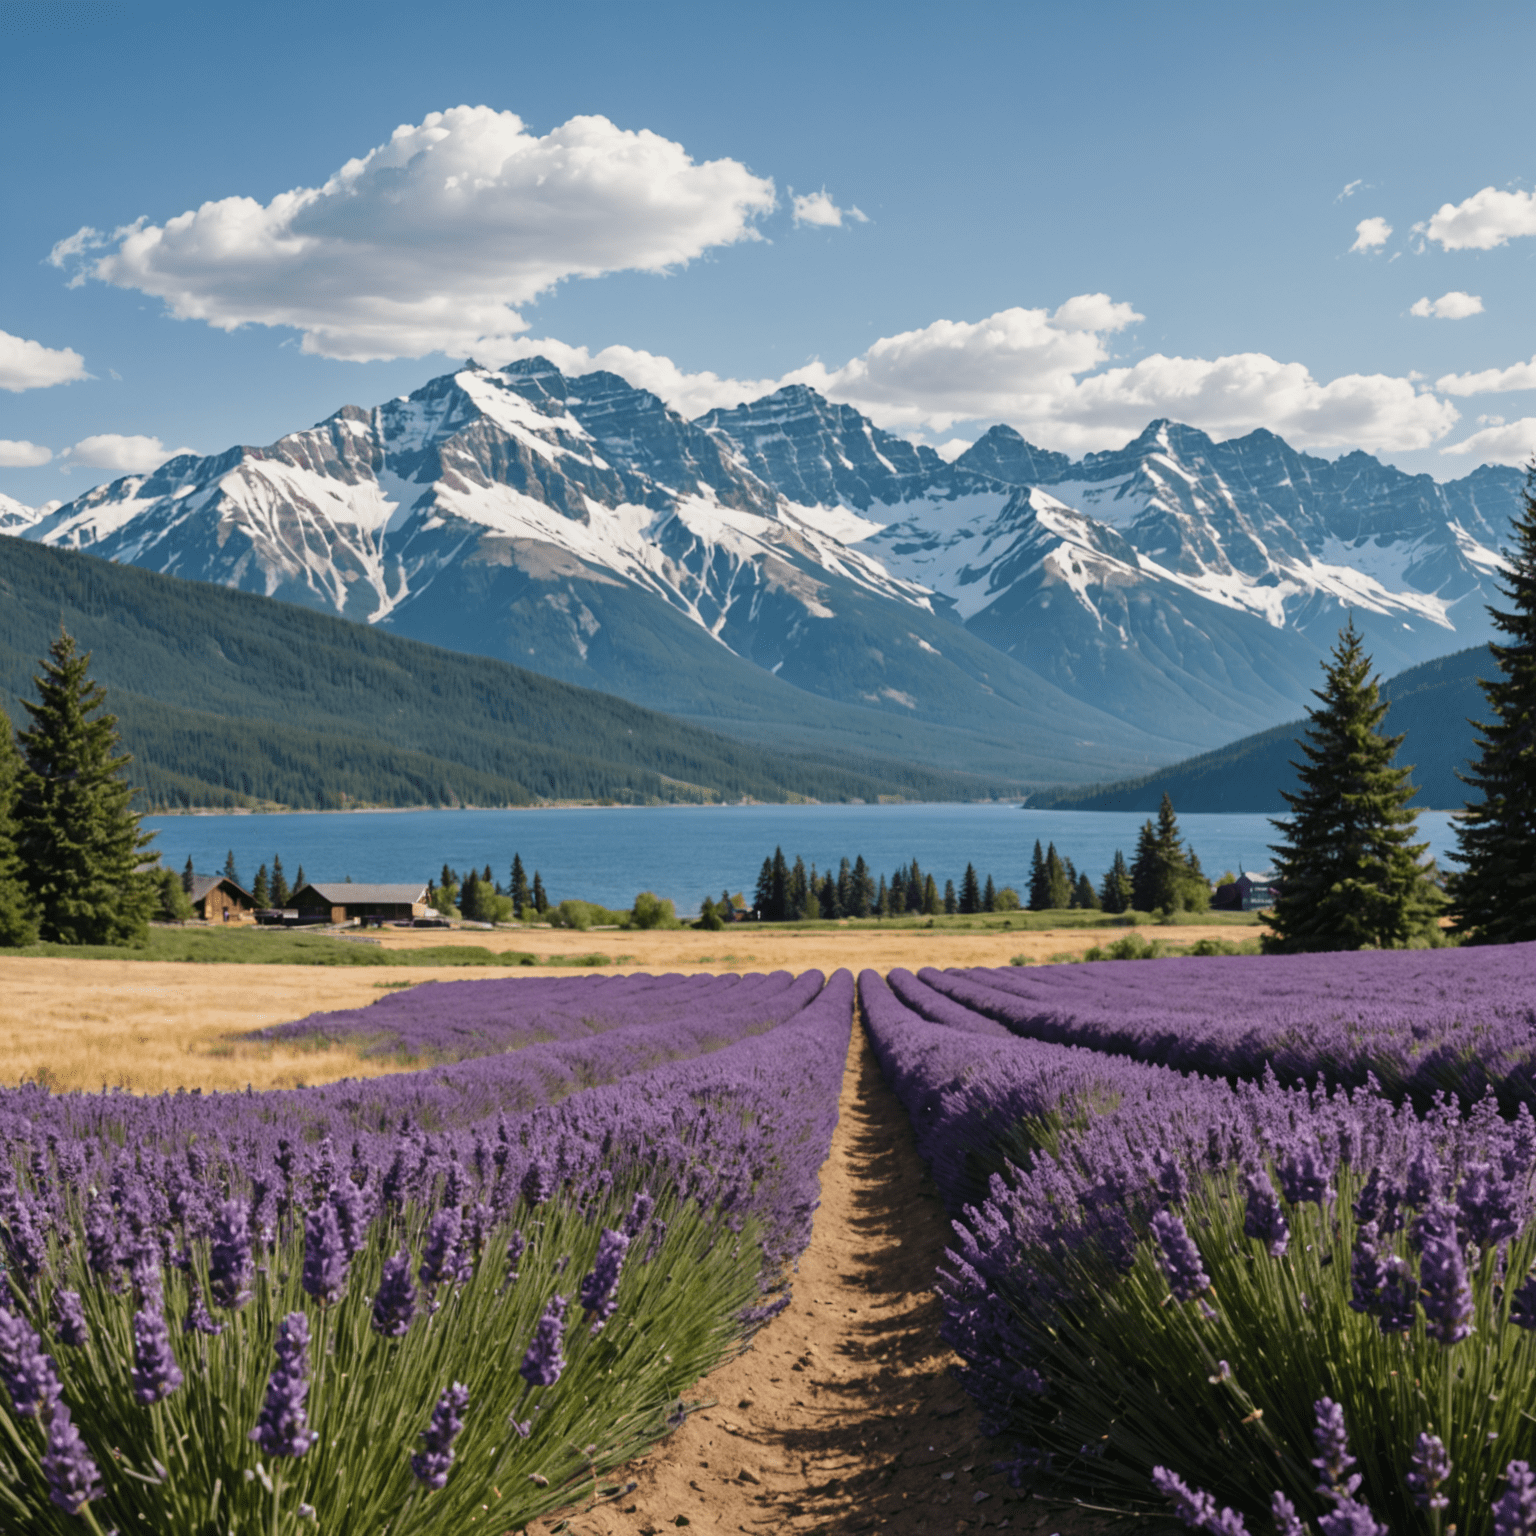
1420,1022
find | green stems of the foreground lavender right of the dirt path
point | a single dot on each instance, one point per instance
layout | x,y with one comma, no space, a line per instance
1137,1380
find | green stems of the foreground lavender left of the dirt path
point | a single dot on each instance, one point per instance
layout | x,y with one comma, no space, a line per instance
371,1397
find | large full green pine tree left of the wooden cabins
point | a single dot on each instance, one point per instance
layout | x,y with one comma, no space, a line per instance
79,841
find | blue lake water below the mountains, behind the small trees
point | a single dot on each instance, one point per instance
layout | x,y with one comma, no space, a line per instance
609,855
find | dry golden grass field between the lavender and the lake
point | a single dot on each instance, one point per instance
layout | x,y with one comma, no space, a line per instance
153,1027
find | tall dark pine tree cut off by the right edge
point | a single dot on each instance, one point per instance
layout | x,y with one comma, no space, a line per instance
1494,895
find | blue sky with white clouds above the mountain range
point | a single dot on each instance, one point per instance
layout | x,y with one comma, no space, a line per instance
1070,217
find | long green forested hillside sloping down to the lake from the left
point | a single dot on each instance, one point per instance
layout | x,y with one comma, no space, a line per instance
233,700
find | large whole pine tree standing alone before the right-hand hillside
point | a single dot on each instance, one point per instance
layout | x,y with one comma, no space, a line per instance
1349,870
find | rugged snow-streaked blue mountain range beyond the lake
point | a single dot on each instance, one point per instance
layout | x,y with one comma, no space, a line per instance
789,574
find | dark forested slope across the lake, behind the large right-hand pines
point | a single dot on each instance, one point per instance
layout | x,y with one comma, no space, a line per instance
1431,706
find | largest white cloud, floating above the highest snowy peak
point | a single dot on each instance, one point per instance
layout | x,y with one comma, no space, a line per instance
434,240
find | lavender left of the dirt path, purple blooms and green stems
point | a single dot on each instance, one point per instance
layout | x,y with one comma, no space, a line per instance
242,1313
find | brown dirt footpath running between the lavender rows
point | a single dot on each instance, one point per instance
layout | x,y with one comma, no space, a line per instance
842,1415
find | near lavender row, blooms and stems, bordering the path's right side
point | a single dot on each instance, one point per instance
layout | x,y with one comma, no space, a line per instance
1251,1297
